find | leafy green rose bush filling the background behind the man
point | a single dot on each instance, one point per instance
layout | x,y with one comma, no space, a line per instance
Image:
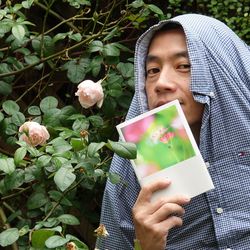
51,188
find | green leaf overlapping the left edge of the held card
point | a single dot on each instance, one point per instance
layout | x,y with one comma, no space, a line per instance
123,149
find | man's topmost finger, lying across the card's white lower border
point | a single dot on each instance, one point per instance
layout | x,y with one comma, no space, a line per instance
147,190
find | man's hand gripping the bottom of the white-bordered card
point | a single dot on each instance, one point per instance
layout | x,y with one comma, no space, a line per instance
153,220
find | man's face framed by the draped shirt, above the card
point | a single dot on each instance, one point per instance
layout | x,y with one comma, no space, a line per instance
168,74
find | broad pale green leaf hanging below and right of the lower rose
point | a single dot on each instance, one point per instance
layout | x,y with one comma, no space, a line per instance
64,177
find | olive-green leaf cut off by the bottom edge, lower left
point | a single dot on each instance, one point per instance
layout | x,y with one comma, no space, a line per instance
39,237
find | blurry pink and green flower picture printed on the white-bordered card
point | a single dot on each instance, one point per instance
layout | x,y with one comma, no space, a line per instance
161,139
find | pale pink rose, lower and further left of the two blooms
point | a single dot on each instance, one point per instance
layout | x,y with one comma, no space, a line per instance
33,133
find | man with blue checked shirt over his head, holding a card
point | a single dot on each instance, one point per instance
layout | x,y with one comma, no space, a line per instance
202,63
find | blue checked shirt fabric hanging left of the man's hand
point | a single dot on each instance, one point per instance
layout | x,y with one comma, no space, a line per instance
117,204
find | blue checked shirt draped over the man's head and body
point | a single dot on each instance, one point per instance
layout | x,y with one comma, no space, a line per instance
220,78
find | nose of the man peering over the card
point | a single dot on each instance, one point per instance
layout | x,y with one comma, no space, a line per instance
165,82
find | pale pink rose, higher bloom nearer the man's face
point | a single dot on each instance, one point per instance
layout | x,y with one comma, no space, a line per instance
90,93
